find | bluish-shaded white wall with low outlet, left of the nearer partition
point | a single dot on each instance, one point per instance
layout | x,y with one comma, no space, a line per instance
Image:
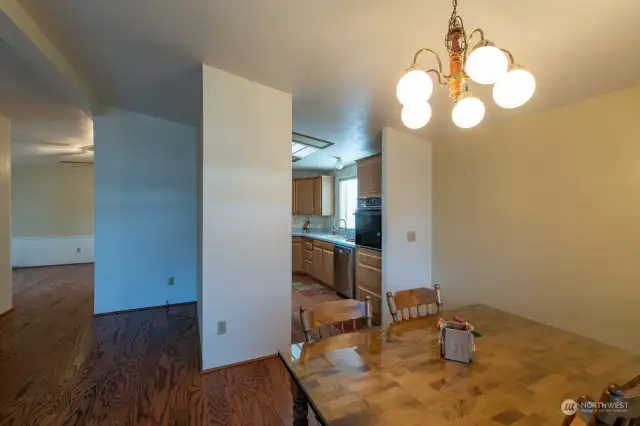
145,211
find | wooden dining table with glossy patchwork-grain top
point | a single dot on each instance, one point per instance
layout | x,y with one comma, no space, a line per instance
520,374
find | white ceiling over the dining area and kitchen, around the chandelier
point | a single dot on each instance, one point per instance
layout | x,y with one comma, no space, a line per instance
341,59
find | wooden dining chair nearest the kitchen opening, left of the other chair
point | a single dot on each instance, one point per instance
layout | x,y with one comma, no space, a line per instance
332,313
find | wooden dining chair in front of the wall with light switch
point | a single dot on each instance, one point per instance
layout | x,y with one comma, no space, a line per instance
407,304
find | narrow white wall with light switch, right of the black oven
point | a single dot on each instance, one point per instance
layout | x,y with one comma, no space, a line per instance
406,189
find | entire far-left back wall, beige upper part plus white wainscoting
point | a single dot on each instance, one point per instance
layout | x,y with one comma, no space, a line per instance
52,215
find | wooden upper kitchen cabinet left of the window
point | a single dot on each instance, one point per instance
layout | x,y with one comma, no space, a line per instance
313,196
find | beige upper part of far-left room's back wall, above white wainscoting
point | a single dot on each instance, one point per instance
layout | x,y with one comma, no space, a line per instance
52,200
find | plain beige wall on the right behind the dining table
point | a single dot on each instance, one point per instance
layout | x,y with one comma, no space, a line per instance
540,216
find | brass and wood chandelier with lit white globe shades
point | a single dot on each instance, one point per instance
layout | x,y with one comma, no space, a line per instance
484,63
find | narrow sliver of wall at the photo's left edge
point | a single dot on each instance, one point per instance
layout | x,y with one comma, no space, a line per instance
6,276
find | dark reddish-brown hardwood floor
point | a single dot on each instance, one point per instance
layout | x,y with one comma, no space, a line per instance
61,366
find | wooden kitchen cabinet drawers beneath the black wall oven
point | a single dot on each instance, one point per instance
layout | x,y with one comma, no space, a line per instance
369,279
